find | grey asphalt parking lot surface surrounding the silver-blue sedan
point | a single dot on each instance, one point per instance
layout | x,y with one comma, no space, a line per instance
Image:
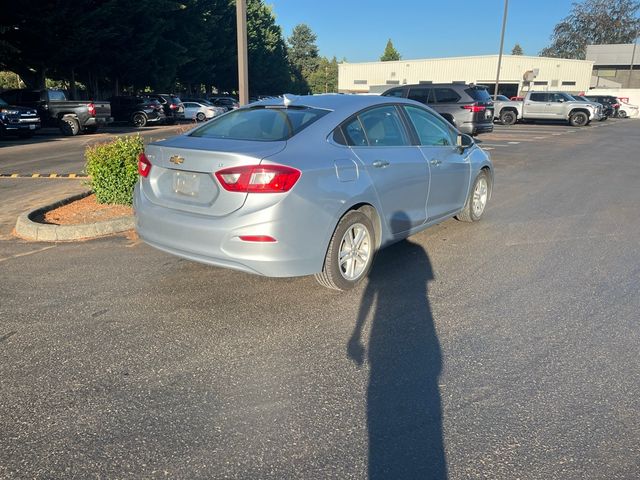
504,349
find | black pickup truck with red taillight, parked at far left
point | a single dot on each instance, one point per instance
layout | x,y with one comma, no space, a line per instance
54,110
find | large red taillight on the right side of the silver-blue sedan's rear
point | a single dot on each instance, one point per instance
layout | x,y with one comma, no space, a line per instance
258,178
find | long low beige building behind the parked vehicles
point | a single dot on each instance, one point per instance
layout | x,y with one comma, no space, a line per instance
518,73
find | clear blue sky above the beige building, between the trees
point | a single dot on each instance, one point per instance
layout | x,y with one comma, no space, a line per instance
359,30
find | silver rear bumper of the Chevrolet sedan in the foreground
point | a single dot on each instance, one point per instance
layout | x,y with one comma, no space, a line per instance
215,240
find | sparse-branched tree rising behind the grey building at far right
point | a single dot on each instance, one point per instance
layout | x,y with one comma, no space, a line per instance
594,22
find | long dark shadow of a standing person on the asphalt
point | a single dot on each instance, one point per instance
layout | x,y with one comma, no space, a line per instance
404,415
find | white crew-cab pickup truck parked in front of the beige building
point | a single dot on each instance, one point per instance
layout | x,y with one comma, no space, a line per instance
547,106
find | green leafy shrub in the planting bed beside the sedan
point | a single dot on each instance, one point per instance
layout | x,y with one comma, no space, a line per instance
113,168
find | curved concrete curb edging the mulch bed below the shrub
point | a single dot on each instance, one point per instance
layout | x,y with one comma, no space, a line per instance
30,230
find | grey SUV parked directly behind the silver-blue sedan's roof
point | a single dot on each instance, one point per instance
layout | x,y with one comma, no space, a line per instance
467,107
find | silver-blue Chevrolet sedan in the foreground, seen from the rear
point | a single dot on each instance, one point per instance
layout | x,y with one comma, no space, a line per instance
308,185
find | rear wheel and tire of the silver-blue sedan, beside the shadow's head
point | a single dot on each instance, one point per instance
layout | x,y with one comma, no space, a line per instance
346,263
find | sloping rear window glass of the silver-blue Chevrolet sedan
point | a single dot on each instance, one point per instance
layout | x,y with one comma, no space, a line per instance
264,123
